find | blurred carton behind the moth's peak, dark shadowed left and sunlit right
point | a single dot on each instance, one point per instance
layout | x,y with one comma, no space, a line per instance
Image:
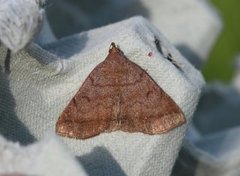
191,25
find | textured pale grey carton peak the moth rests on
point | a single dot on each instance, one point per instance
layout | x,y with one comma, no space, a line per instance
43,80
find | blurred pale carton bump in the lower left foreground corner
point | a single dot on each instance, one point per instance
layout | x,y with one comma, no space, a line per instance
48,157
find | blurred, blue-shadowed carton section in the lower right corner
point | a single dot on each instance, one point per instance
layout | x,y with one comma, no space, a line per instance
213,139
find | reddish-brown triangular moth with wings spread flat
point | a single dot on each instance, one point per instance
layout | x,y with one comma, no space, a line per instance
119,95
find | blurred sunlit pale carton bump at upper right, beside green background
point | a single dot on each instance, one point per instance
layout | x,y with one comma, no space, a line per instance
192,25
